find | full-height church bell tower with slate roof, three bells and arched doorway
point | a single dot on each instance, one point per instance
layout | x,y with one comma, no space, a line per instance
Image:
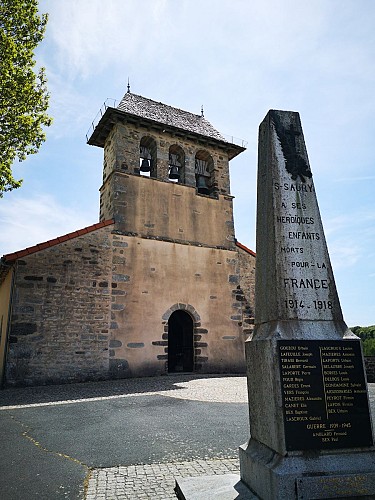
177,303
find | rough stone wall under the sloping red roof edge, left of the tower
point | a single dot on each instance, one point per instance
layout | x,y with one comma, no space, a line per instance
61,306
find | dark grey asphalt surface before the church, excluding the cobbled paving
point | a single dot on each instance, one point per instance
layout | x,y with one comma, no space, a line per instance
47,451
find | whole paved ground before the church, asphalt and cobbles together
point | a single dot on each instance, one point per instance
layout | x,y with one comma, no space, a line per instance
124,439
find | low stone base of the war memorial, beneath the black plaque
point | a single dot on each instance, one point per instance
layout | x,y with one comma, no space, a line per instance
309,475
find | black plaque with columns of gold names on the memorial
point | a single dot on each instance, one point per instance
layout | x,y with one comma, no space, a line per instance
324,395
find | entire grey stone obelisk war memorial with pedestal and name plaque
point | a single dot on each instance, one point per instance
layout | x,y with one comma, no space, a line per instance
310,427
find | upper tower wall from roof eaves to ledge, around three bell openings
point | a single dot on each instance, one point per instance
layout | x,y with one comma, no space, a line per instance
156,206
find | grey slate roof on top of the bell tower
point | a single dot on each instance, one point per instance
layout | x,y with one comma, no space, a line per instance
162,113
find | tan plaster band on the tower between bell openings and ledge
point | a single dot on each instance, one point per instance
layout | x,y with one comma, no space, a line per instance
151,208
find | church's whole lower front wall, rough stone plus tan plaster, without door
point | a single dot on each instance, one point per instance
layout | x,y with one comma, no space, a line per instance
97,307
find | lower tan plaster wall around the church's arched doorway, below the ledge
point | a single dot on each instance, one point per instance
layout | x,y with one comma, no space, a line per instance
153,279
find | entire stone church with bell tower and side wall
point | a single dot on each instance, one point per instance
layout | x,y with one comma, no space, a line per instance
159,285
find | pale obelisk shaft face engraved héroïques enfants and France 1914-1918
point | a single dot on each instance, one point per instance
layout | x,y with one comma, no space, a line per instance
305,273
